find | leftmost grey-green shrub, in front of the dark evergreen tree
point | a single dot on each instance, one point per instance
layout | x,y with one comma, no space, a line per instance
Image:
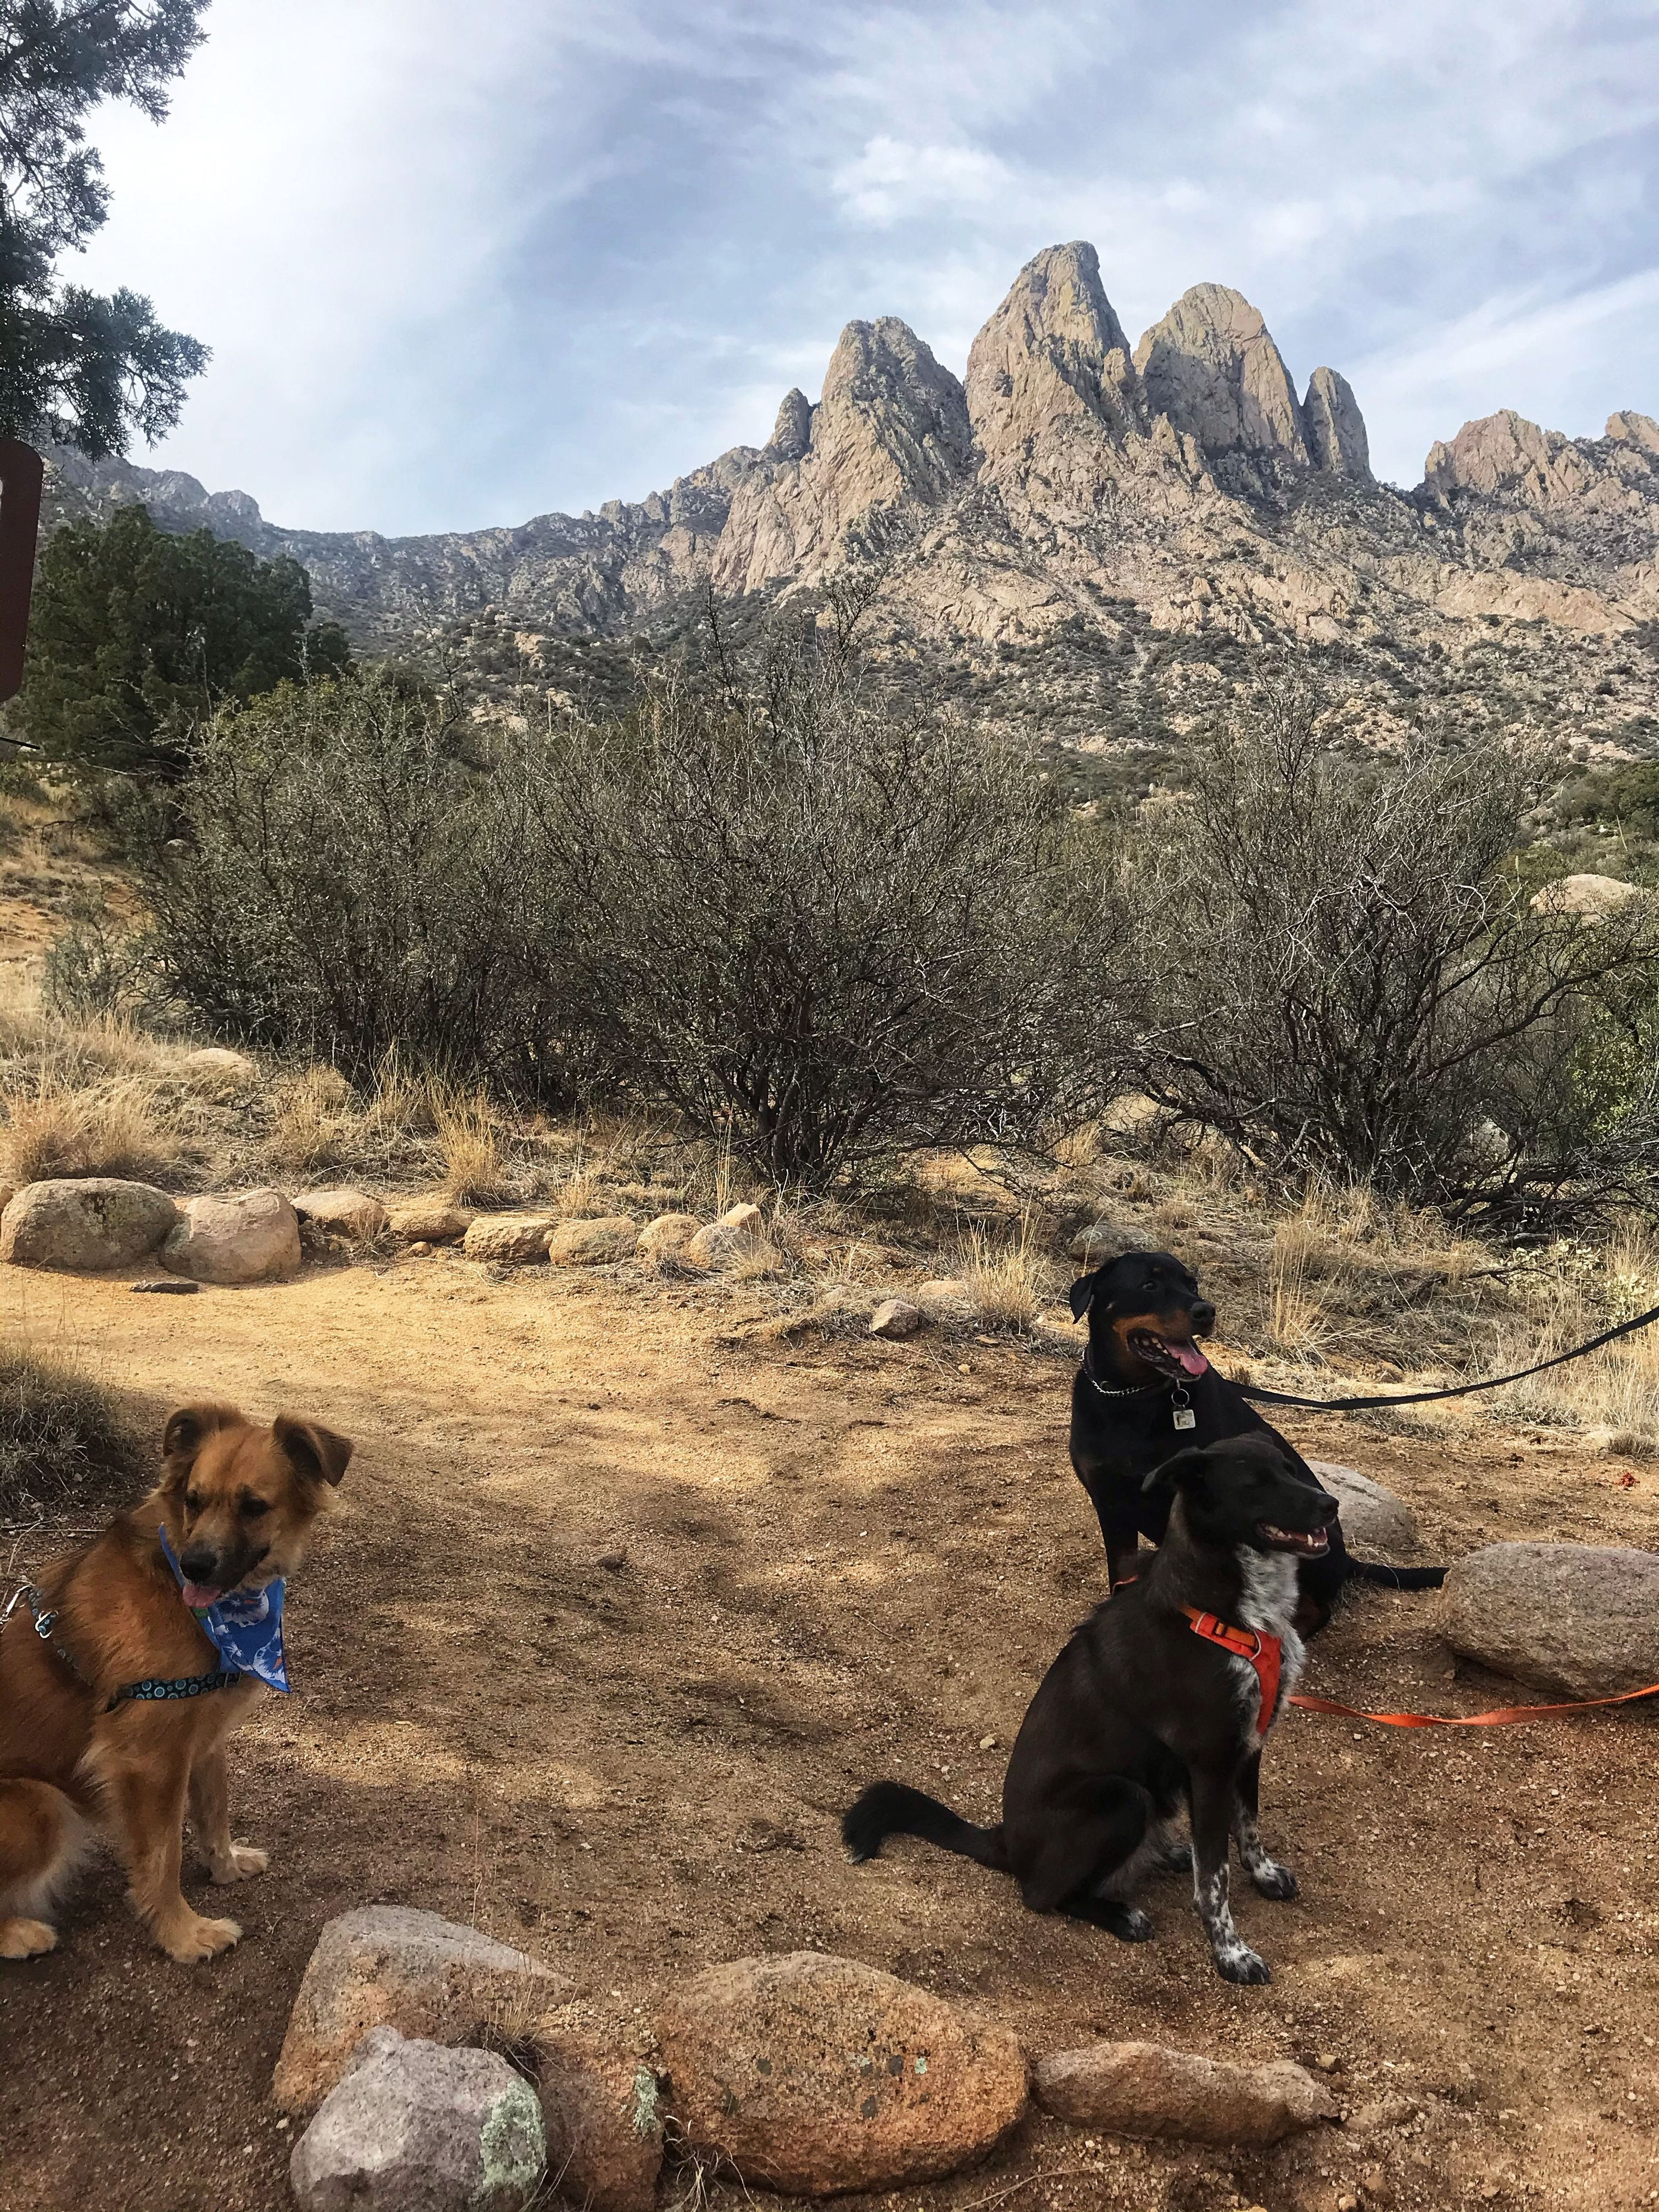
351,881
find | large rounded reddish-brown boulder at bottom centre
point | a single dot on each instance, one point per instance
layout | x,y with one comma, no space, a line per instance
817,2076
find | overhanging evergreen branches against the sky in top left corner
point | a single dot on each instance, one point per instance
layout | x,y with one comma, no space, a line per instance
79,368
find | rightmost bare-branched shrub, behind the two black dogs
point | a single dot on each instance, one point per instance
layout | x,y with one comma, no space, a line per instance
1357,985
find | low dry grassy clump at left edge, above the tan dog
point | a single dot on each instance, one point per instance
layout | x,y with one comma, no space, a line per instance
65,1443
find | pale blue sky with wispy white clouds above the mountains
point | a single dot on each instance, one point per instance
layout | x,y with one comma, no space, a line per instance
472,260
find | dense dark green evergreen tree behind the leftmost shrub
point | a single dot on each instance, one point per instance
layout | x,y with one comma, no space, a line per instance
138,634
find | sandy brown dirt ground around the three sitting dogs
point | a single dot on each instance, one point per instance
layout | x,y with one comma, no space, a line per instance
842,1561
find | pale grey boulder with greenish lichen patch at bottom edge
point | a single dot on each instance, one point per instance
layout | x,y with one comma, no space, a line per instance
421,2129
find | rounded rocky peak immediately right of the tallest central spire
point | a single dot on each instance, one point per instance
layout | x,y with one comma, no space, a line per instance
1213,368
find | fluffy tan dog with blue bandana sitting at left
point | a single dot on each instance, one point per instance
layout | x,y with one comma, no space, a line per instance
238,1505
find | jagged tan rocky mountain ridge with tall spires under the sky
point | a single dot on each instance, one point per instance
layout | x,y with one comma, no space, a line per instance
1070,486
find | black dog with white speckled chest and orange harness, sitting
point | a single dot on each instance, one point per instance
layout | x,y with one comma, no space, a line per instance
1160,1702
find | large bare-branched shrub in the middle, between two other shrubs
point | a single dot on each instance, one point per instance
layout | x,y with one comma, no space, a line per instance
826,926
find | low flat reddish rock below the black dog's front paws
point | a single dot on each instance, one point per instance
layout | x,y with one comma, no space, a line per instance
1149,2089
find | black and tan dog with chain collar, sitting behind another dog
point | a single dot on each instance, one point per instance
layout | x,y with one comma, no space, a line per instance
1145,1390
